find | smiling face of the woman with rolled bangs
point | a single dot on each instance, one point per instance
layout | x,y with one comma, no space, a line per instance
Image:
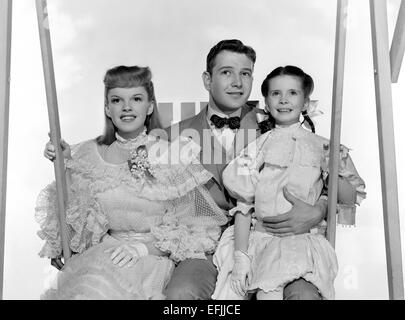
128,108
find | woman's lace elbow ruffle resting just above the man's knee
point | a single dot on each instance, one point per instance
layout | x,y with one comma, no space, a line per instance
186,242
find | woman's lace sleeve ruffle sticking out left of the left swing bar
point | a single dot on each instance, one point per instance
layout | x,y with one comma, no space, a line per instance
46,214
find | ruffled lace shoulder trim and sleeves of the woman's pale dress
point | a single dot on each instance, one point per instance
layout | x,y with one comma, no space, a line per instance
197,216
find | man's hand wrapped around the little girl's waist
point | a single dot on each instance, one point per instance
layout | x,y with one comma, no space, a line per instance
300,219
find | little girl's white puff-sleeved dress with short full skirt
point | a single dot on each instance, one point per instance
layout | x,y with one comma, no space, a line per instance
289,157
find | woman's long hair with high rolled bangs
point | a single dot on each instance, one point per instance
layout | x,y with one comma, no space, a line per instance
128,77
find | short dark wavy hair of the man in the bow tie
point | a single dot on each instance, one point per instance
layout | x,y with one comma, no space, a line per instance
232,45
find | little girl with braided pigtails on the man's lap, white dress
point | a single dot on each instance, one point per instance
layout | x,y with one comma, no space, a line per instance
288,158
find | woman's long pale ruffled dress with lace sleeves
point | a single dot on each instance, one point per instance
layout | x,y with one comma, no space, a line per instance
108,204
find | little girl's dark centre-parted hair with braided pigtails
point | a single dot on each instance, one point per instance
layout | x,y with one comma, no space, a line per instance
307,86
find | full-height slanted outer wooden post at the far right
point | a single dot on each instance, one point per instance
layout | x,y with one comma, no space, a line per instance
386,140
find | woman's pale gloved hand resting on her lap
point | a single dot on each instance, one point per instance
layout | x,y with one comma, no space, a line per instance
127,254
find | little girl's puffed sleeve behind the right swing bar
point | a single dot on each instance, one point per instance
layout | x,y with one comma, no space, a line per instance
347,170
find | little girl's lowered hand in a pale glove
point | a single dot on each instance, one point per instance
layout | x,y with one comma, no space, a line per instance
241,273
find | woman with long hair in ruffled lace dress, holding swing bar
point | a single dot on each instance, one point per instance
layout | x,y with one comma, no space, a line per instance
131,215
